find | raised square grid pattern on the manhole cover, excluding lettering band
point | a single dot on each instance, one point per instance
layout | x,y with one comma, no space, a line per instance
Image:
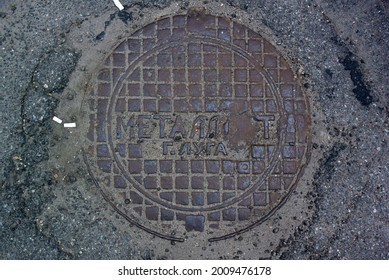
190,78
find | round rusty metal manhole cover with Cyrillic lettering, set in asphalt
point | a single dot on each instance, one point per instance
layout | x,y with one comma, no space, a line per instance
196,125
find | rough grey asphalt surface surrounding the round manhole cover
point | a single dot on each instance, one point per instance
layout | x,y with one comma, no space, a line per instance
49,206
